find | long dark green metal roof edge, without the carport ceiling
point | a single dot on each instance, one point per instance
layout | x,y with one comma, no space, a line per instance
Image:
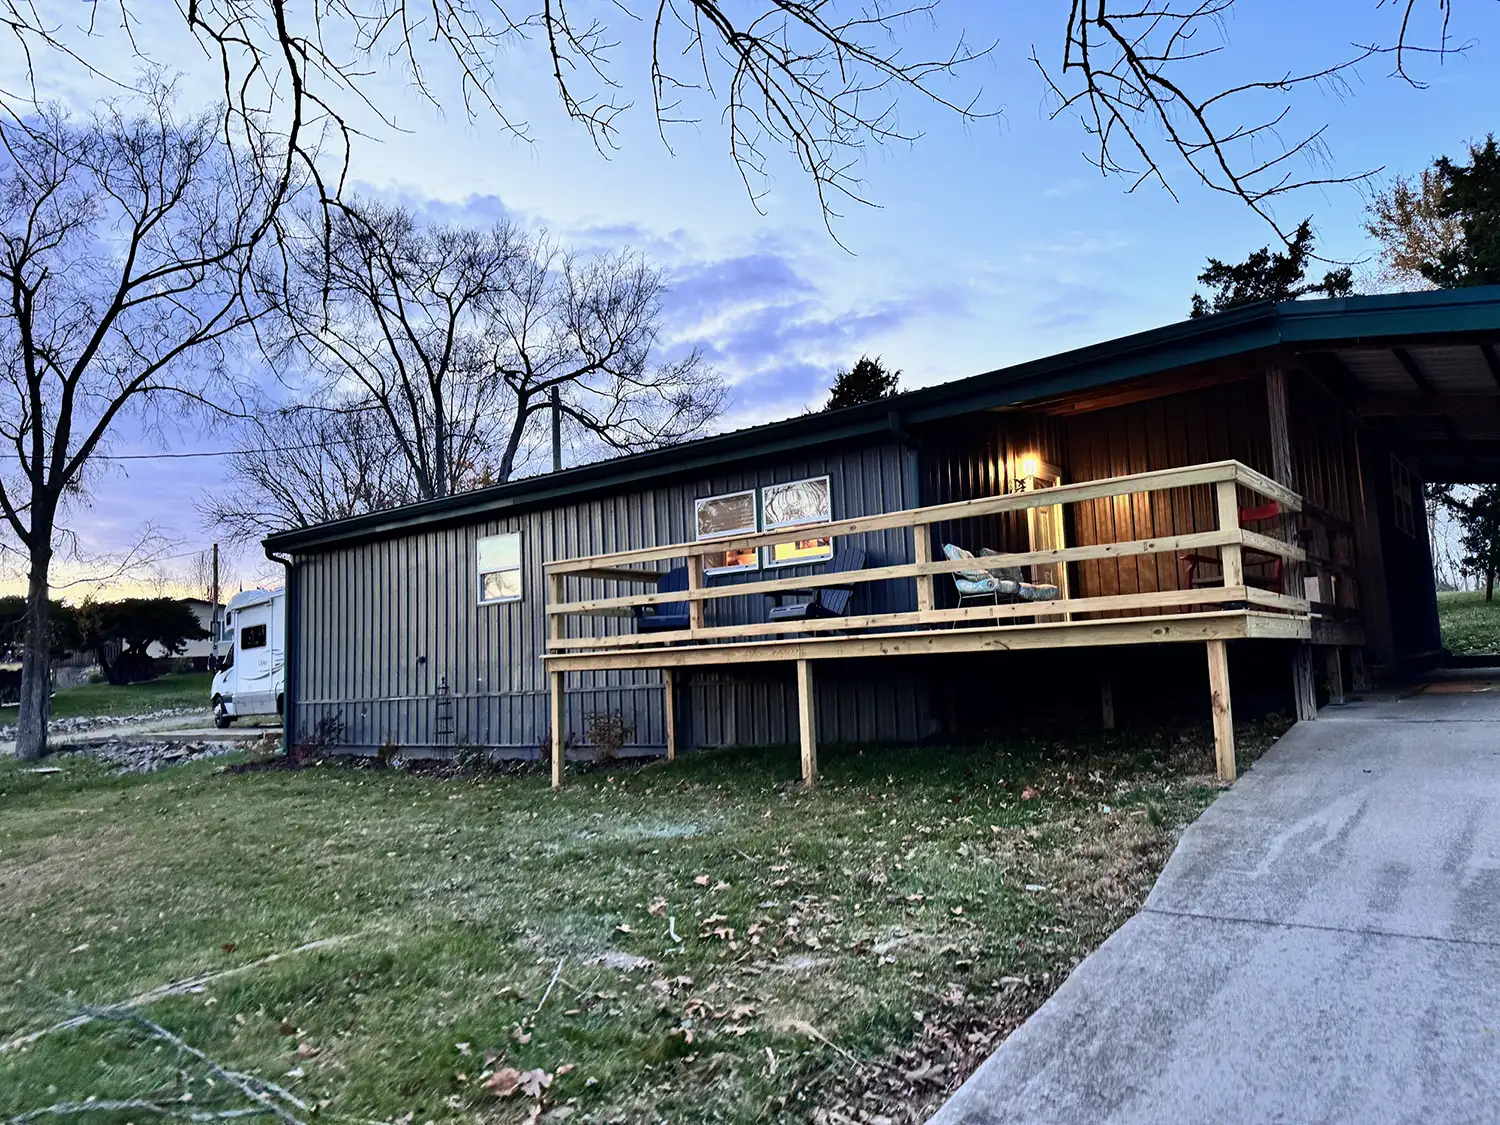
1348,322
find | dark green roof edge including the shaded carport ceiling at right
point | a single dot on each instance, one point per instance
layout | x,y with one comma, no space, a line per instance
1423,368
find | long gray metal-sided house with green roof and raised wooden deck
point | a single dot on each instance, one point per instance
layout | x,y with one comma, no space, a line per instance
1247,484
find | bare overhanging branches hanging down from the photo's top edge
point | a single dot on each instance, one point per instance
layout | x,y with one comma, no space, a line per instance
814,80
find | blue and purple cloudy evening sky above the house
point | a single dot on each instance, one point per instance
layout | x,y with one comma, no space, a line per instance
986,244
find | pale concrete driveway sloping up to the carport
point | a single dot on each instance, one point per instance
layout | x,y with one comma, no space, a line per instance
1322,947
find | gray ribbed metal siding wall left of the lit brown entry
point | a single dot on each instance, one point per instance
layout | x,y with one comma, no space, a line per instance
385,623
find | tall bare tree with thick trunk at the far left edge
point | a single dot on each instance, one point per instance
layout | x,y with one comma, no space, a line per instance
125,254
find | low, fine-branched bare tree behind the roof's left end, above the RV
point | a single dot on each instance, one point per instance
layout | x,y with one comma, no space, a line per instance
310,466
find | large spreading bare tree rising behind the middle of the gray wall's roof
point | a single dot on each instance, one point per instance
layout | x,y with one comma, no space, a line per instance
458,338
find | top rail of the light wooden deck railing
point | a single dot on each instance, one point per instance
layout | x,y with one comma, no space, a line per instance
965,509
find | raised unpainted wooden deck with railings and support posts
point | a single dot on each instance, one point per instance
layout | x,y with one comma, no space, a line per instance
1211,617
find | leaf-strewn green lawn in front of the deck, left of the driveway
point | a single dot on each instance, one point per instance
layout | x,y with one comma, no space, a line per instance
731,949
